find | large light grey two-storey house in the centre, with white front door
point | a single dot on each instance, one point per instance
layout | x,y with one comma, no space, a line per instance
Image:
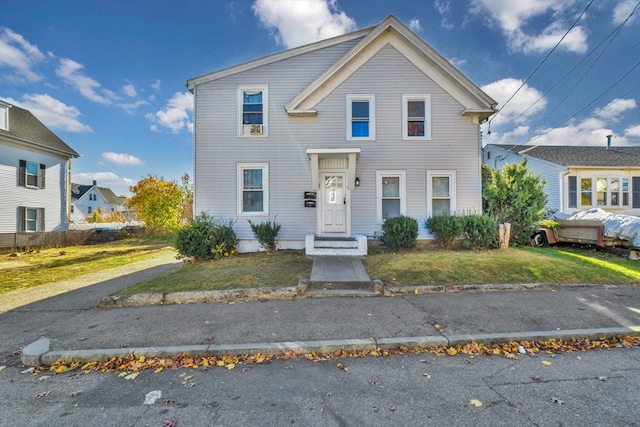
332,138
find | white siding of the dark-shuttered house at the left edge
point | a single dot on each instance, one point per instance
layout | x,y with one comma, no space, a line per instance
51,198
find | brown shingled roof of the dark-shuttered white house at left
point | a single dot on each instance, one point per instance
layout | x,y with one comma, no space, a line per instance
24,127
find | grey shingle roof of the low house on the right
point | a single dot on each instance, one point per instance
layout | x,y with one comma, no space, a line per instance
577,156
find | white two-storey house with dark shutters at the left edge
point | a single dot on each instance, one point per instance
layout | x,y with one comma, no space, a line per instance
35,168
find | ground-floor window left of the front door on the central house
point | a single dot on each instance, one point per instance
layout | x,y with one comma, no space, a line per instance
253,189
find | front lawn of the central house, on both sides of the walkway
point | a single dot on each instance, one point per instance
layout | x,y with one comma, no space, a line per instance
425,266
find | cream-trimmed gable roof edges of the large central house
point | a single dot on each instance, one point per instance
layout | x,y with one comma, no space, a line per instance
389,32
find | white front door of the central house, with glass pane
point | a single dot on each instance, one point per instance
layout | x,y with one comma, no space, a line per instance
334,203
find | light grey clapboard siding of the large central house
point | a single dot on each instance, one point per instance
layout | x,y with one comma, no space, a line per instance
455,145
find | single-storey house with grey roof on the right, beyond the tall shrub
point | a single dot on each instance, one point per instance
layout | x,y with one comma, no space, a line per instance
579,178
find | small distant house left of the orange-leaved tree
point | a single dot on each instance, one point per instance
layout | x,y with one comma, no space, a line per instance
87,199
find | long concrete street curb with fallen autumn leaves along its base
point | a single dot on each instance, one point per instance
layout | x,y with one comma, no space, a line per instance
38,352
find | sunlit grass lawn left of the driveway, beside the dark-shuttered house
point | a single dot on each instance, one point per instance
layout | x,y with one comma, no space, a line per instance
39,267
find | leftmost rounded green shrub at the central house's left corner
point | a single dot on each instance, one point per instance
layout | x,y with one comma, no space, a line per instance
204,238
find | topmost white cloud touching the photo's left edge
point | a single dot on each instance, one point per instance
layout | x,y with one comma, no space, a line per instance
20,55
